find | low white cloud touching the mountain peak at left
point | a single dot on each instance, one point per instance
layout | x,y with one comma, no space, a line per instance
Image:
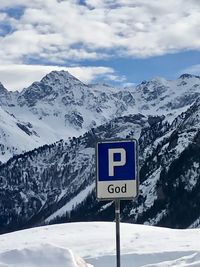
16,77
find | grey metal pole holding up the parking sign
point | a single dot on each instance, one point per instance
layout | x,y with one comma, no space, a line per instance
117,219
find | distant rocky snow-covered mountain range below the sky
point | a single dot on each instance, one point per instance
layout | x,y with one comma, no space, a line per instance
61,106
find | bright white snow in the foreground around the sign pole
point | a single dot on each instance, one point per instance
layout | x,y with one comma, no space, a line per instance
59,245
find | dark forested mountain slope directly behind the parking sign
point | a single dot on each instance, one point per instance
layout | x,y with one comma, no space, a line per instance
56,183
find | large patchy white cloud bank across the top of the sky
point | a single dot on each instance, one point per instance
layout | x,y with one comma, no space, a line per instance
57,31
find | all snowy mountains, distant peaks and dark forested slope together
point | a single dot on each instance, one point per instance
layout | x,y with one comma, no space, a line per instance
56,182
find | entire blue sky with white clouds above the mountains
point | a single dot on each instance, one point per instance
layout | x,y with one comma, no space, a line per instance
119,42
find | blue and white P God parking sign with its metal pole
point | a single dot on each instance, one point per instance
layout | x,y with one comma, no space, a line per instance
117,176
